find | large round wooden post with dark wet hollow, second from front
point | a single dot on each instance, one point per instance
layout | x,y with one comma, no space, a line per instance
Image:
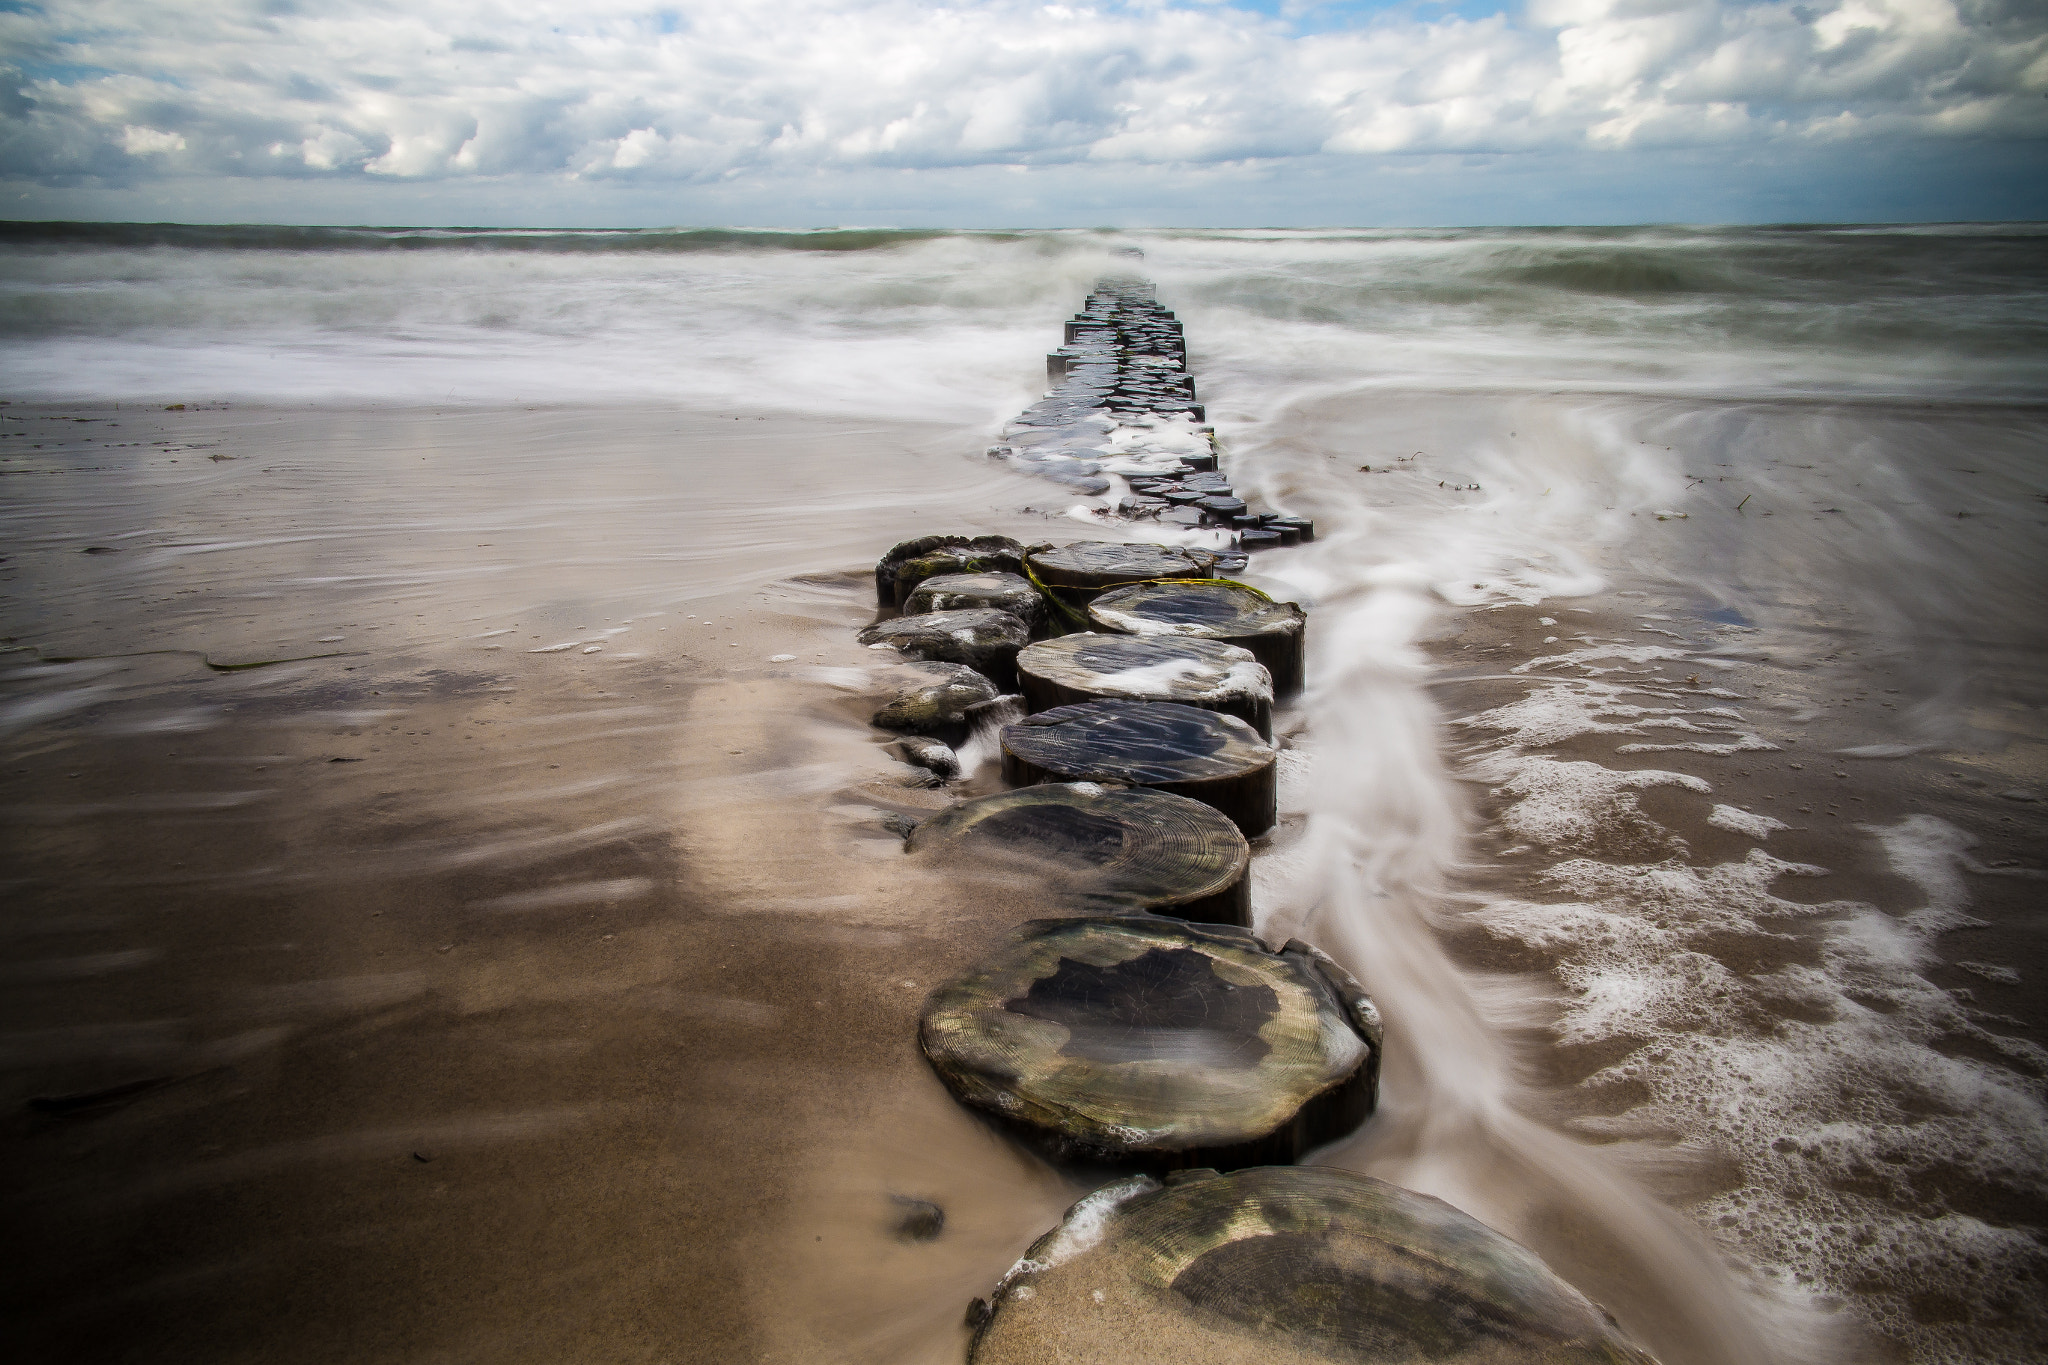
1160,1043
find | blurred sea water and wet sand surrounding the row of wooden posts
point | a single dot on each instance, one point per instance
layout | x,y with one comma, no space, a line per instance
536,924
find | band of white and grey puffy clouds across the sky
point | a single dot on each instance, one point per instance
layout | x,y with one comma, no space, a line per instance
691,91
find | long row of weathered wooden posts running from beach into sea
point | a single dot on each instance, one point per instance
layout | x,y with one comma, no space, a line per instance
1148,1037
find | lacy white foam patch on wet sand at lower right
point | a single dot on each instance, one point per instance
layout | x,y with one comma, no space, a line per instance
1830,1084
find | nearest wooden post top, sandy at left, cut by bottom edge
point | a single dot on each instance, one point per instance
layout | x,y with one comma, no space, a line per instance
1285,1266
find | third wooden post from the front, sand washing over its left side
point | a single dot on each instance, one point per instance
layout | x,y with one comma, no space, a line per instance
1103,846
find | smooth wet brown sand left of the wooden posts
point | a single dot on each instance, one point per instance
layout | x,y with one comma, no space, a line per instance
447,1000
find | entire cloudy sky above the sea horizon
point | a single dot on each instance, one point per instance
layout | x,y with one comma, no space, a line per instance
998,114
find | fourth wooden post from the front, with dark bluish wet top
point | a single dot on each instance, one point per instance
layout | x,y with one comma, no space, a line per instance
1199,754
